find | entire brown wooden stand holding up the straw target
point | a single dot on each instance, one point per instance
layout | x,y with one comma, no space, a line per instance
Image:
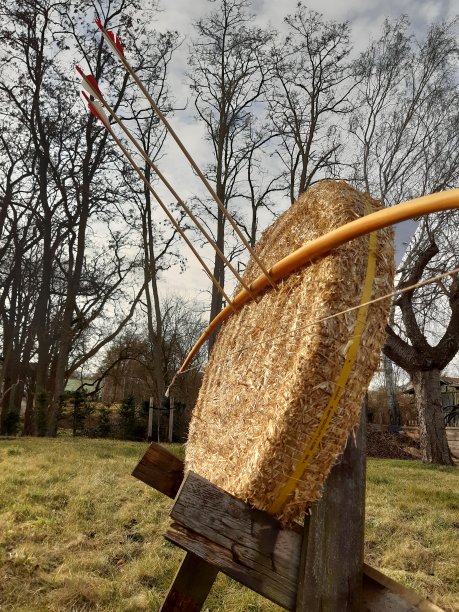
317,567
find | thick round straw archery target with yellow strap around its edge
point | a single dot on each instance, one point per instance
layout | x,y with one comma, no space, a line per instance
276,364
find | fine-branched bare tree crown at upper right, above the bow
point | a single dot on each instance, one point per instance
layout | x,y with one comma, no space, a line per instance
405,125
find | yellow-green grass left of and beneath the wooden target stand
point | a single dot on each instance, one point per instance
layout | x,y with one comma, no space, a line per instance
78,533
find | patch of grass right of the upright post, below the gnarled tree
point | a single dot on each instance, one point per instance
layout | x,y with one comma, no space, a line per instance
412,526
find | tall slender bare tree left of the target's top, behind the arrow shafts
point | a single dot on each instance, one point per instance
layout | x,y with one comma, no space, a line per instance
227,77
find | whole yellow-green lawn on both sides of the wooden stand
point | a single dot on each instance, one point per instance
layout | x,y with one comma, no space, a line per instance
78,533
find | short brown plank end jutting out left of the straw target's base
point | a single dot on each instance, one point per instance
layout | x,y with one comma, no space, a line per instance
161,470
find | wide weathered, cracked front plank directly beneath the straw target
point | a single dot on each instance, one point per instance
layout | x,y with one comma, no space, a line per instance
247,544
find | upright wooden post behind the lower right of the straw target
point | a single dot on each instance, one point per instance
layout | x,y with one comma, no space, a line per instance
330,578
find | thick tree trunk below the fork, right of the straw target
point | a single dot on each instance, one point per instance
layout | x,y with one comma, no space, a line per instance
434,445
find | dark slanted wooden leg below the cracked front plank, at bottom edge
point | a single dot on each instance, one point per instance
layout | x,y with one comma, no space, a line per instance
191,585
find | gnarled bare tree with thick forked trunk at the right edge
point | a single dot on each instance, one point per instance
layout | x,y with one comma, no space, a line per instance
425,338
